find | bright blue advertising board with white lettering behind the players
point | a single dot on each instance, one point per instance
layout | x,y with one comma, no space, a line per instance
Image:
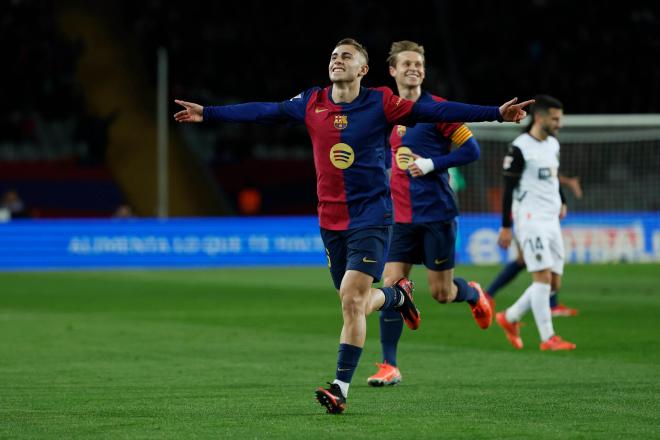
273,241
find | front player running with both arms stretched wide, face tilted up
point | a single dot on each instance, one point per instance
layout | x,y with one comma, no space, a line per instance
348,125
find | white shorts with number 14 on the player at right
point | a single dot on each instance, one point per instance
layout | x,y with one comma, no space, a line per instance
542,245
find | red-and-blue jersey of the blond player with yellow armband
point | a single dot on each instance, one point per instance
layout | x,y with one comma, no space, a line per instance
427,198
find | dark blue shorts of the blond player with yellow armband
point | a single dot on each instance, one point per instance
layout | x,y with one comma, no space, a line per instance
431,243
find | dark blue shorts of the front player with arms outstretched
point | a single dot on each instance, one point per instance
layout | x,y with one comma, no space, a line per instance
361,249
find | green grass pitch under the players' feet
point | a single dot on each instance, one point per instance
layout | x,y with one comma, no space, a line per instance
238,353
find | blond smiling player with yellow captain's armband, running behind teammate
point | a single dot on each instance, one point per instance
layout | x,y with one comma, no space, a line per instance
424,206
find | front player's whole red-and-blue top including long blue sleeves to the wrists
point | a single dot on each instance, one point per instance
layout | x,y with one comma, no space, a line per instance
349,144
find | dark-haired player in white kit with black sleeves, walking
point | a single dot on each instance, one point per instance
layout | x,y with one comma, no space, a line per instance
533,195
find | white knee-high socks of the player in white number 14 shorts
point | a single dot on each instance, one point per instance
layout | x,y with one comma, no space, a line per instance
536,297
